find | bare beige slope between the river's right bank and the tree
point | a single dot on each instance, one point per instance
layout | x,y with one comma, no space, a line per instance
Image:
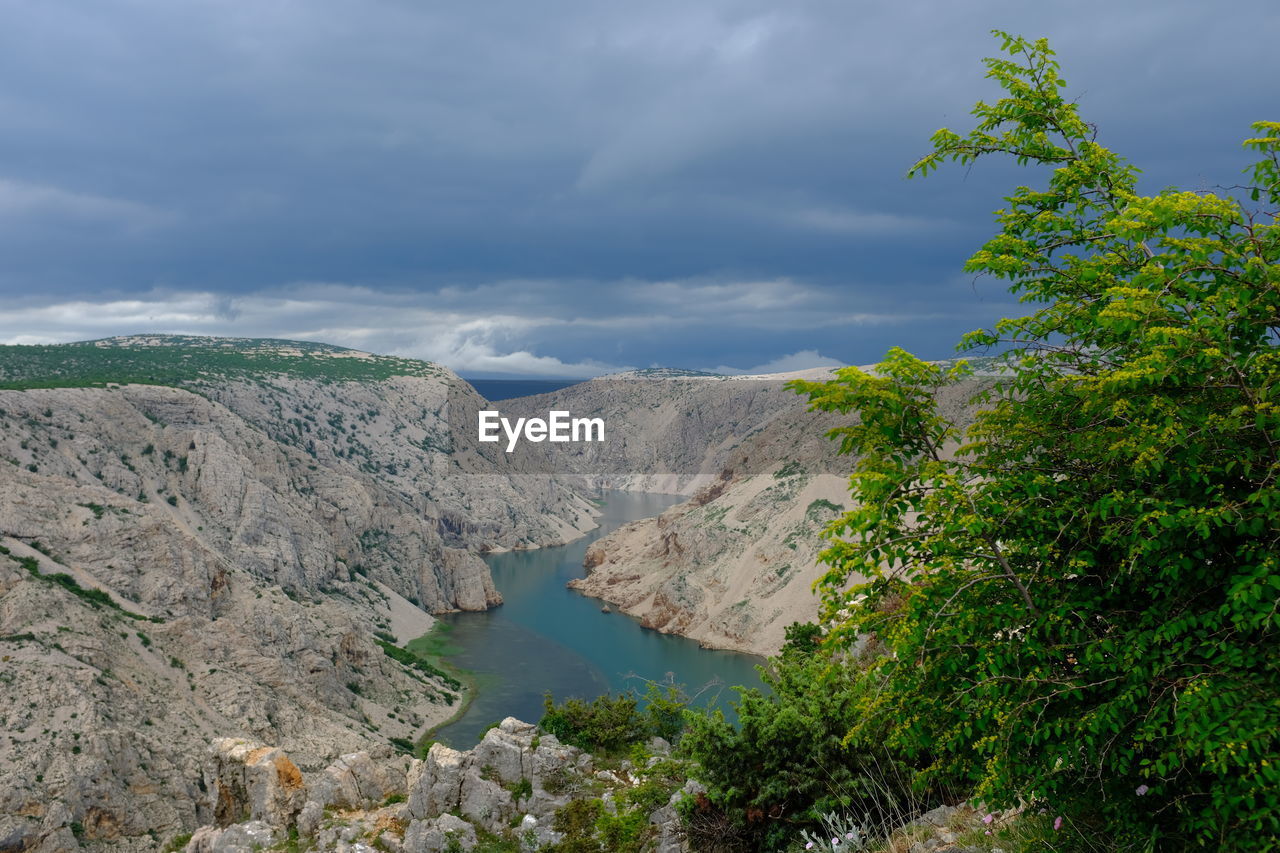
735,567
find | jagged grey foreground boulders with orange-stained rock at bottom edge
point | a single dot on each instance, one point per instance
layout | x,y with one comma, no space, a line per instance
511,786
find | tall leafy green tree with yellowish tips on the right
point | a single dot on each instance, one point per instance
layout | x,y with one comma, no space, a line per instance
1081,591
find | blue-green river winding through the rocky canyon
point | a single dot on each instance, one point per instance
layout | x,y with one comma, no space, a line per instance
547,637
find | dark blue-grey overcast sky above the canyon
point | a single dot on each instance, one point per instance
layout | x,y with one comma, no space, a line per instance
560,188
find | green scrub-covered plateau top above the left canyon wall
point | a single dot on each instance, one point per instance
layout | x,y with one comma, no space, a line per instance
189,361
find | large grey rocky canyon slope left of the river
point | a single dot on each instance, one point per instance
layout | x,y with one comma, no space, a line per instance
245,546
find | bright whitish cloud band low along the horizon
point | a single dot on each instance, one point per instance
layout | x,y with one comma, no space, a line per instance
461,329
